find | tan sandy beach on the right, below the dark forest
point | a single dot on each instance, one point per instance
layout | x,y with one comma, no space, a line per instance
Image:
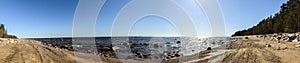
254,50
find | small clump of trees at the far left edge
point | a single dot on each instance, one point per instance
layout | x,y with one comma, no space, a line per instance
3,33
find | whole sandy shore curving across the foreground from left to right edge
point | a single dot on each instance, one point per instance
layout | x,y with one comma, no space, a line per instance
250,49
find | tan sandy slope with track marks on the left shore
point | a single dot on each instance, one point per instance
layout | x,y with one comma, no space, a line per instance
30,51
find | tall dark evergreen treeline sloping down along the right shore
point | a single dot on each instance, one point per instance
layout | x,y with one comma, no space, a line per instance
285,21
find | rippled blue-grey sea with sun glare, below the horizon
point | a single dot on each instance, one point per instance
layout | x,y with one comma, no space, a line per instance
147,45
